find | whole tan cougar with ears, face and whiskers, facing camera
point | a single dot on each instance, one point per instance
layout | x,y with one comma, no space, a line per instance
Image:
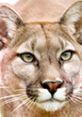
41,67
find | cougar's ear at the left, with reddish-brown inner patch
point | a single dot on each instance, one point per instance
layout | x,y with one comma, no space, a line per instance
9,23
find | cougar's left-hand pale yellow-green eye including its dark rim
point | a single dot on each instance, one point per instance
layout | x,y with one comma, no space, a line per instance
27,57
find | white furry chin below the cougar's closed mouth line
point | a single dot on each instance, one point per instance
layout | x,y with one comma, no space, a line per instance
51,106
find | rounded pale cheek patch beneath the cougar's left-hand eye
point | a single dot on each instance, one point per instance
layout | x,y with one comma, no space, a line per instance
23,70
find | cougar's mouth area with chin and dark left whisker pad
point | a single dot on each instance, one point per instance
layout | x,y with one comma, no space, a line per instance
48,102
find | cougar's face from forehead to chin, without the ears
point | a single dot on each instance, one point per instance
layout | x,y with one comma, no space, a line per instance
48,67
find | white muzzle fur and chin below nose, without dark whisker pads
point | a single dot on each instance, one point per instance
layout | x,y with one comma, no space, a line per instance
58,99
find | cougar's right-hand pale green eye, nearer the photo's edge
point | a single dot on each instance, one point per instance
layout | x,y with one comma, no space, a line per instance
67,55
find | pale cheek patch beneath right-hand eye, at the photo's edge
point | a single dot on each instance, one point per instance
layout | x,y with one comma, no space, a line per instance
74,71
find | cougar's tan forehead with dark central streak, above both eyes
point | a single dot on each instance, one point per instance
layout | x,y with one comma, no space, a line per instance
44,36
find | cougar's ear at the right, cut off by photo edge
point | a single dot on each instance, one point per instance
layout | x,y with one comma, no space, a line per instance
72,19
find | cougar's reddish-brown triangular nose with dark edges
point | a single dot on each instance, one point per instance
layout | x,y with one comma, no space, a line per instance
52,86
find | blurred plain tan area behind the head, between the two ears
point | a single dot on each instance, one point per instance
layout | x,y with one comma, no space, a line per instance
42,10
